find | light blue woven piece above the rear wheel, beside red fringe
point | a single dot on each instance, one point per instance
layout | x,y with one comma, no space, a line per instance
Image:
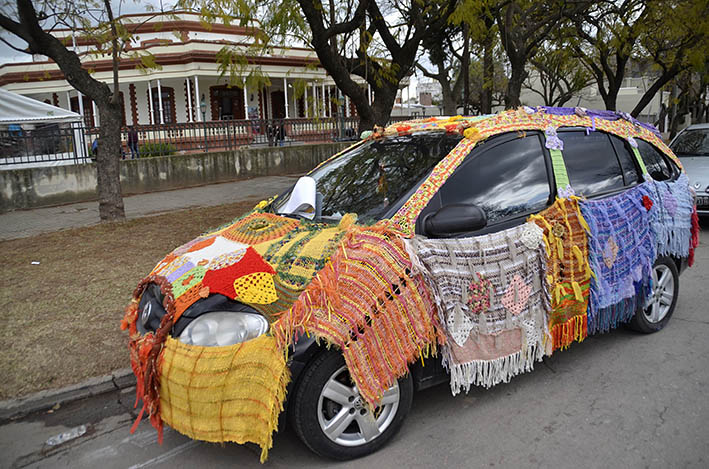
671,216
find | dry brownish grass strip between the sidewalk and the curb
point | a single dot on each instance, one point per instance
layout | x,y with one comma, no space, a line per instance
61,318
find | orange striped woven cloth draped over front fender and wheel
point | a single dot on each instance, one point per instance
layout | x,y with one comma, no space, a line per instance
367,302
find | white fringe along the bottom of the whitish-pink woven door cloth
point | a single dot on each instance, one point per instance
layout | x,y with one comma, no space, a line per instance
488,373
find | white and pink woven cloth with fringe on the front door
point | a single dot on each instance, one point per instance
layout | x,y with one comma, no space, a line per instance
494,302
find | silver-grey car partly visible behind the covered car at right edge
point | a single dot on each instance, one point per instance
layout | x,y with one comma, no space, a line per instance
691,145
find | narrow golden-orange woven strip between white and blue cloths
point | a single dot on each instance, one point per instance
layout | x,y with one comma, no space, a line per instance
568,271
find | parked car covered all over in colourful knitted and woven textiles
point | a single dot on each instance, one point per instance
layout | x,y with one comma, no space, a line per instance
458,249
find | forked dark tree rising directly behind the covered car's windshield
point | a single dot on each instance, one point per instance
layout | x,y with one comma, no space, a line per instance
376,40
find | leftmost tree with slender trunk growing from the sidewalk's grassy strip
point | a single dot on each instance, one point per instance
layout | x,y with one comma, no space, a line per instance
96,24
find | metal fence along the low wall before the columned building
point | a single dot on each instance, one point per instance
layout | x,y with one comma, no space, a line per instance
66,144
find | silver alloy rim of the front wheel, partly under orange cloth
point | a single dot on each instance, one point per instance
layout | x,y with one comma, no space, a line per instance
343,414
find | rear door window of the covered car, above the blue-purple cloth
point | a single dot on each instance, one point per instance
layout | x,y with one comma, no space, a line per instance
591,162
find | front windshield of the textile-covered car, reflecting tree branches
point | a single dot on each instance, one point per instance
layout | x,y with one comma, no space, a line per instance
370,179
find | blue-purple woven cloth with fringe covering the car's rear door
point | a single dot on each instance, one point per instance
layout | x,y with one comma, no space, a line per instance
621,253
